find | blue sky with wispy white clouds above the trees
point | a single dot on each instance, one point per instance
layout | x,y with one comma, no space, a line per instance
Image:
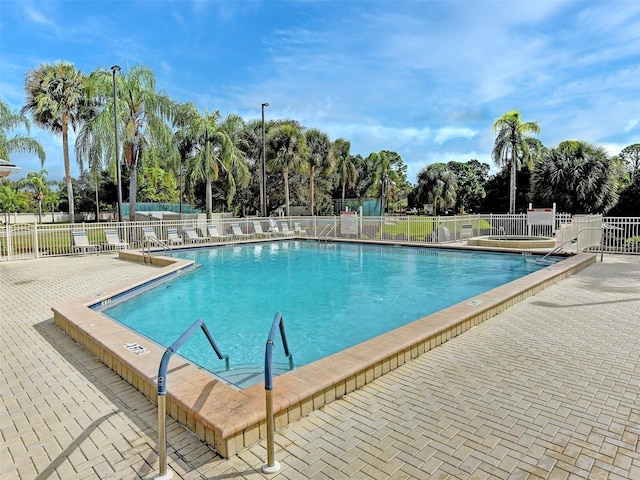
426,79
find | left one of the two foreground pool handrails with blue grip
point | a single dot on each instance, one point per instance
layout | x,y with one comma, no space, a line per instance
162,389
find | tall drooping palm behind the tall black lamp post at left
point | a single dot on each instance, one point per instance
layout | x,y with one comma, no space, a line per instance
142,117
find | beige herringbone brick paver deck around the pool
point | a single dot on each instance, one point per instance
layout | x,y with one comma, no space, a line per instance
547,389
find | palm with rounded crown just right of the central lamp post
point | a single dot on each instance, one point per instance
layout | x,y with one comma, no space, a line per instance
290,153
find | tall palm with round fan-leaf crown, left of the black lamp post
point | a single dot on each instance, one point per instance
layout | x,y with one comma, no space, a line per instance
55,94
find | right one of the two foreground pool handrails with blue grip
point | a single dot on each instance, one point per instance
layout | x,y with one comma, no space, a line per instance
278,323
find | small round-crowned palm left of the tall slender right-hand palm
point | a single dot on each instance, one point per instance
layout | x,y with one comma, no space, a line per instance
437,185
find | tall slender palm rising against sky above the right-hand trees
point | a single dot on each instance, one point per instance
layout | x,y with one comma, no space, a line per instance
511,147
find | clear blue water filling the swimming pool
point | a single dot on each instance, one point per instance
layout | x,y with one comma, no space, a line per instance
331,296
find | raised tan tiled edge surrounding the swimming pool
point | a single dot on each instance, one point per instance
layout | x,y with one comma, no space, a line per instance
231,420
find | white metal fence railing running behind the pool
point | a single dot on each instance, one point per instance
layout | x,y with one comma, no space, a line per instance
619,234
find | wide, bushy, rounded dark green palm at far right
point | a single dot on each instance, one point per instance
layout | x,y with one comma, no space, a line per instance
578,177
